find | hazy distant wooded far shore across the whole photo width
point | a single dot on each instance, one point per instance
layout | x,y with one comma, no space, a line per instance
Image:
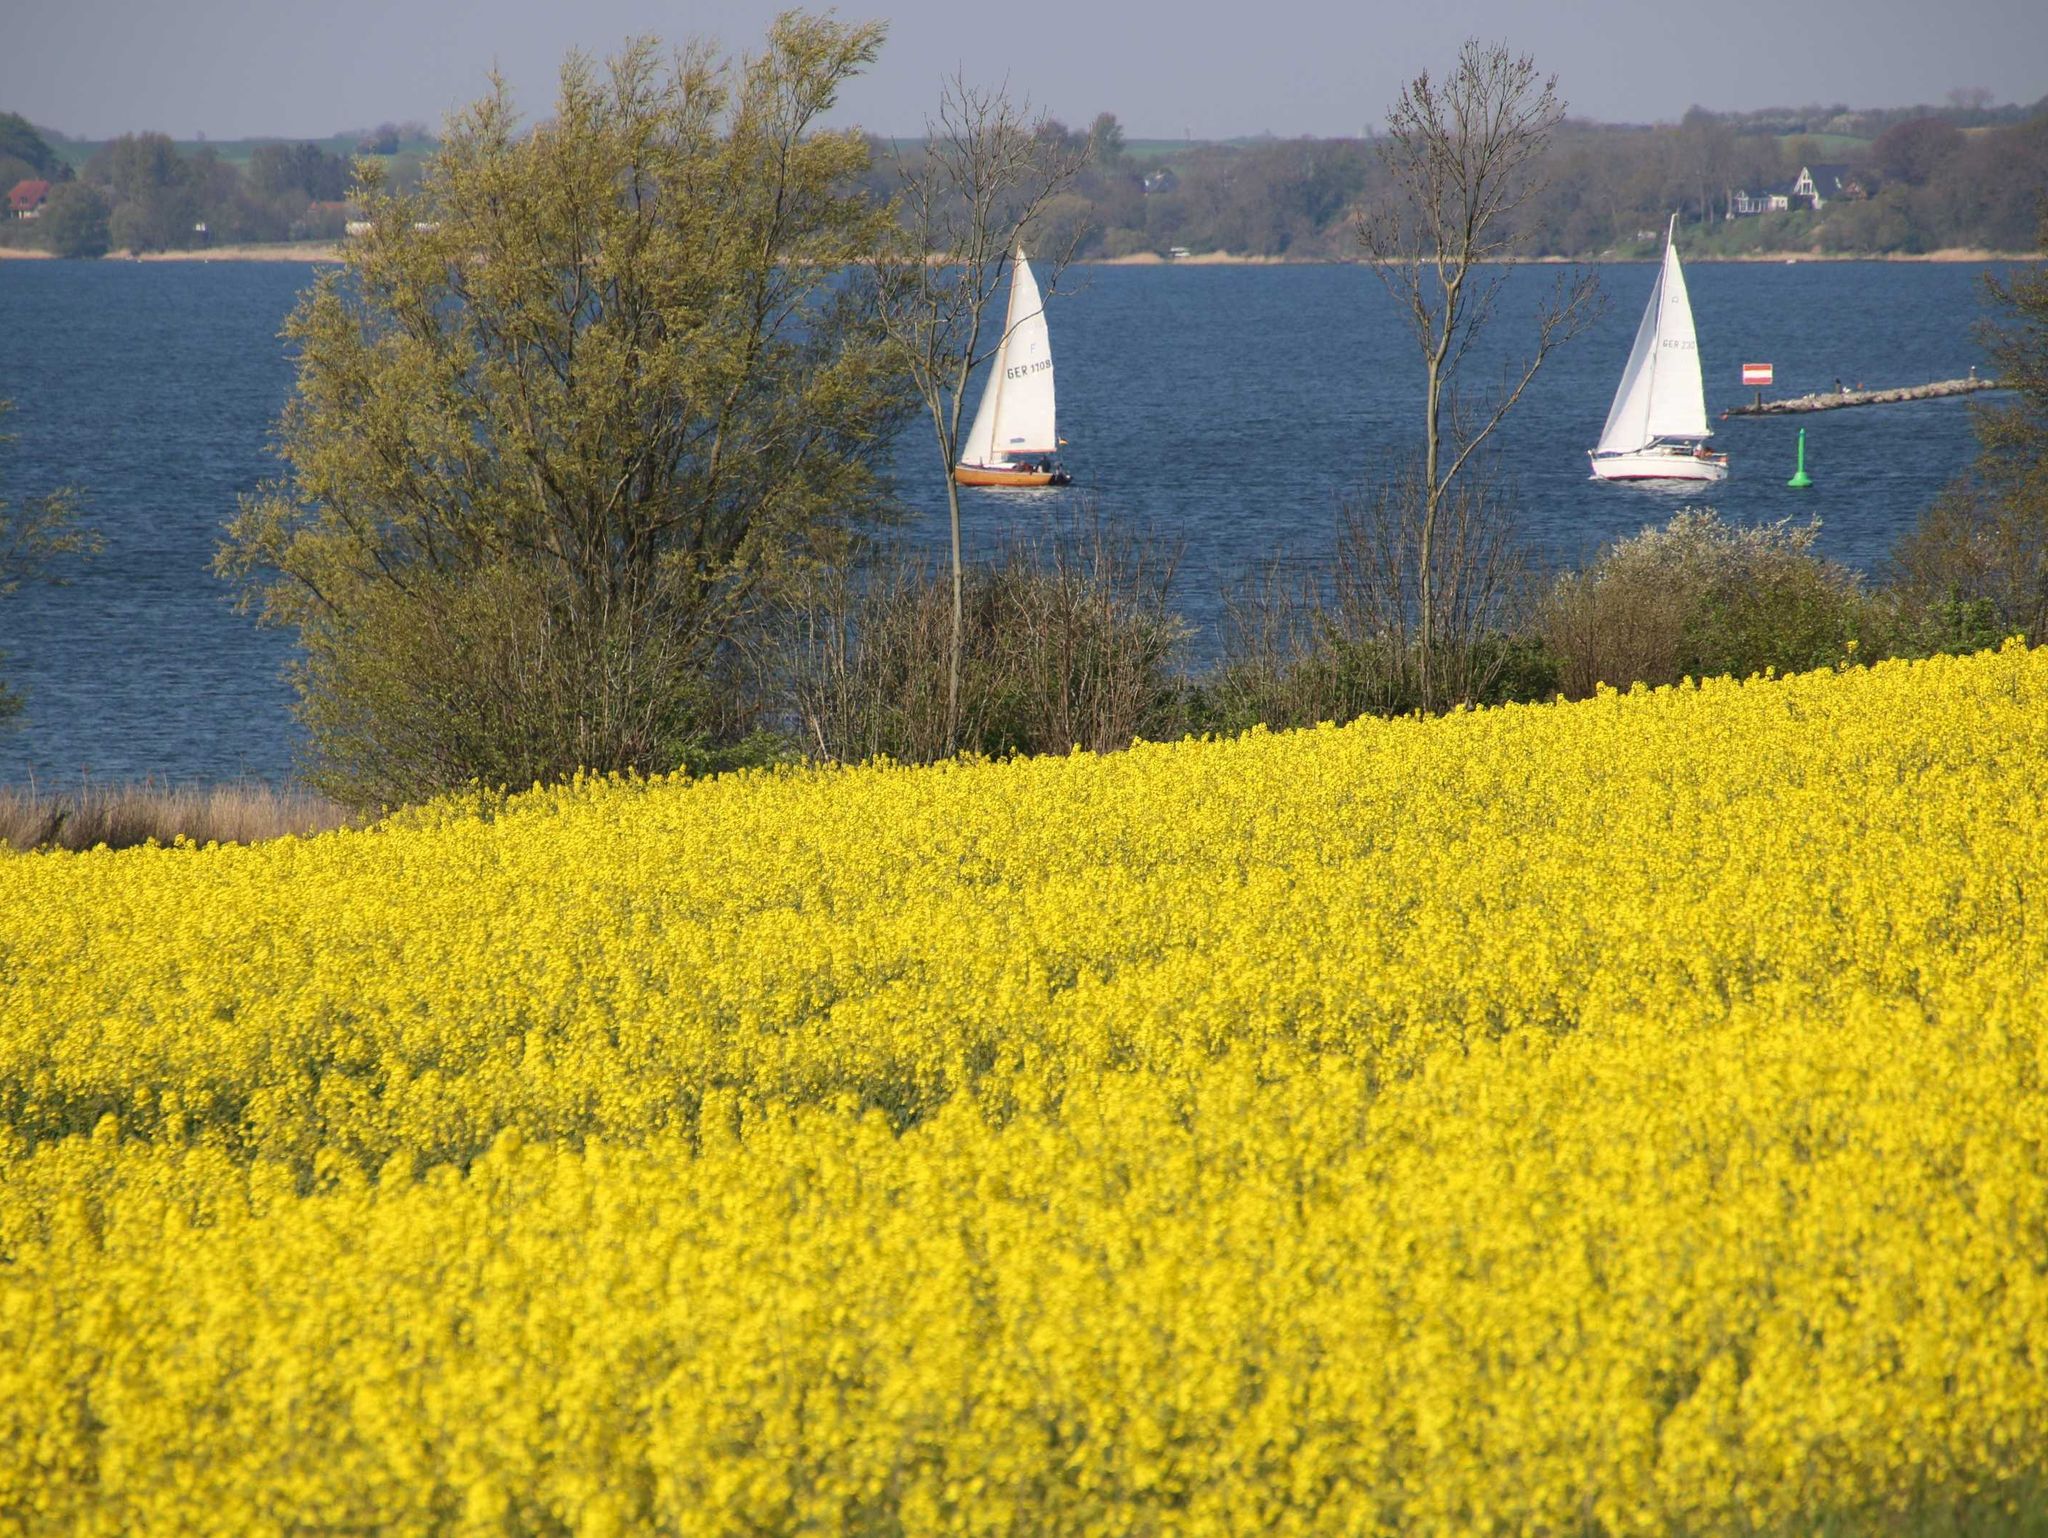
1924,179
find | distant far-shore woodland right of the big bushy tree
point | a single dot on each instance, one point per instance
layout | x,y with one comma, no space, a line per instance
1926,179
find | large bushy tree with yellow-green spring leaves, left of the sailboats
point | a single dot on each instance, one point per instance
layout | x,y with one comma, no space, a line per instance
572,419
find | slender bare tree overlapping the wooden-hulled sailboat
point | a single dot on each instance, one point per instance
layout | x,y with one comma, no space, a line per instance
970,198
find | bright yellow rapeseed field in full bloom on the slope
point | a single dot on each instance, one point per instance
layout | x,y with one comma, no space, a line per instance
1611,1117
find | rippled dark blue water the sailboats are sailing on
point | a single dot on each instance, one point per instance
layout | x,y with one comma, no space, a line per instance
1218,411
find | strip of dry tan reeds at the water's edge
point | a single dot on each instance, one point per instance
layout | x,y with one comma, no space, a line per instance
124,816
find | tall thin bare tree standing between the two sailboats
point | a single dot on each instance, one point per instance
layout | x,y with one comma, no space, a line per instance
1463,163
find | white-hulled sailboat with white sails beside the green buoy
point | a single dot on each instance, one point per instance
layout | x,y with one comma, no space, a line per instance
1658,423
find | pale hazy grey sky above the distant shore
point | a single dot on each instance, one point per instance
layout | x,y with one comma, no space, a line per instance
1211,69
